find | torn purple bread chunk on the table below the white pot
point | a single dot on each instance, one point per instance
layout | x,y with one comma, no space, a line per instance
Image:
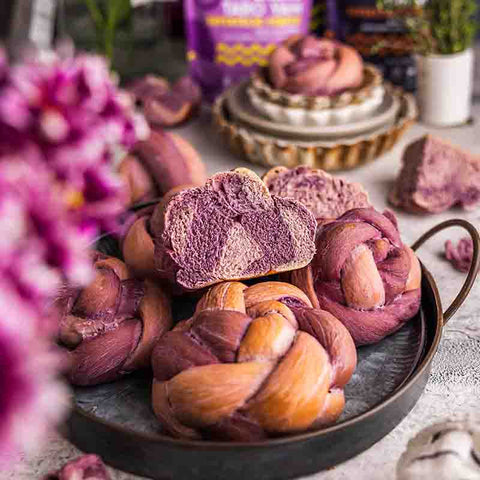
436,176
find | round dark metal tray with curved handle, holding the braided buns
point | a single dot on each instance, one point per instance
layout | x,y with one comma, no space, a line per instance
116,421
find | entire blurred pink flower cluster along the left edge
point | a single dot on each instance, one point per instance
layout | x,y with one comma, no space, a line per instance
60,121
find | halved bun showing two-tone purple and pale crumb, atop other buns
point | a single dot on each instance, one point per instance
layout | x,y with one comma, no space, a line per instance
230,229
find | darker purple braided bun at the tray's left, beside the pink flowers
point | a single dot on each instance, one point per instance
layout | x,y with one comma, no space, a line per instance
111,327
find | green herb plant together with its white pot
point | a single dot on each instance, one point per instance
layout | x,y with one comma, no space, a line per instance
443,33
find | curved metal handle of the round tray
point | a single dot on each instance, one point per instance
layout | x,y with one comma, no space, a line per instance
474,268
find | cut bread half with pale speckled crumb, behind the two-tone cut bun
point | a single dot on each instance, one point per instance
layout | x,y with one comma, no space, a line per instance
326,196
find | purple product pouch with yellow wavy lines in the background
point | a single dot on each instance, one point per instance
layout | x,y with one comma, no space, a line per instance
228,39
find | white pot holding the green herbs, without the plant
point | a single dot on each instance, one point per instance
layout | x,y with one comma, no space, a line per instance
445,84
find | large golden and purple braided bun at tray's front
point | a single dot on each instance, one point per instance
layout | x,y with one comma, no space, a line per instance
279,369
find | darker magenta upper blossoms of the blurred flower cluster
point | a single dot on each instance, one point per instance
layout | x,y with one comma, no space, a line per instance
69,115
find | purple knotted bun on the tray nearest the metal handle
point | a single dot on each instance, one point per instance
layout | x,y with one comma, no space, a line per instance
363,274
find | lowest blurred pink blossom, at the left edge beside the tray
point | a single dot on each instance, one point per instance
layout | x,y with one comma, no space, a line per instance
31,396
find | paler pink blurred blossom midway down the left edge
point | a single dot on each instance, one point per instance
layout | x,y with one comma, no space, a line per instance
42,242
